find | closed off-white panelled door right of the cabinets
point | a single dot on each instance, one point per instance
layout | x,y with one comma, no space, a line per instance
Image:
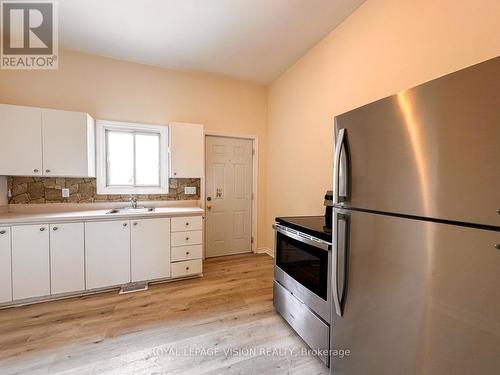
229,195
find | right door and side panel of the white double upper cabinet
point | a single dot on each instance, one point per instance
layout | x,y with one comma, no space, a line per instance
68,144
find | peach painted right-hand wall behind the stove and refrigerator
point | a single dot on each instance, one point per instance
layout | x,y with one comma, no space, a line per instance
385,46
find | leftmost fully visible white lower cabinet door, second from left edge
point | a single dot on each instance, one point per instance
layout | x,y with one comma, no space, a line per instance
30,261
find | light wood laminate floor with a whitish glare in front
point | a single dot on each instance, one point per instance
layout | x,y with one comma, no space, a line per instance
223,323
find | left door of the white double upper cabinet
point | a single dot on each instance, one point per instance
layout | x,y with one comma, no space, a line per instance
21,141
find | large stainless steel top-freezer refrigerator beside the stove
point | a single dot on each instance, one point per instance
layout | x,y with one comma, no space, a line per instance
416,230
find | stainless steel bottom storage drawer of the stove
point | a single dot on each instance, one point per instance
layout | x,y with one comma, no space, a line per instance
310,327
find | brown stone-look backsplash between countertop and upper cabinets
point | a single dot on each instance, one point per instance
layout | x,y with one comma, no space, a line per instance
29,190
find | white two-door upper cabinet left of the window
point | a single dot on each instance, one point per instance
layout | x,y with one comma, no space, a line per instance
46,142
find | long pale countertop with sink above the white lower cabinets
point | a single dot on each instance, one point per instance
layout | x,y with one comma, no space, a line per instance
17,218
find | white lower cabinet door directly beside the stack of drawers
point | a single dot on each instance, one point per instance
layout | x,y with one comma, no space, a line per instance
150,249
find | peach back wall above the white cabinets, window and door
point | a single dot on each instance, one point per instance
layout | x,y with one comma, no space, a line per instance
118,90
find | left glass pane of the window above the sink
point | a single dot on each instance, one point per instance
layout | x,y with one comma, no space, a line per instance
120,158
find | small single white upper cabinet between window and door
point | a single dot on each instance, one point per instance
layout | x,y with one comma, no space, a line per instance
186,150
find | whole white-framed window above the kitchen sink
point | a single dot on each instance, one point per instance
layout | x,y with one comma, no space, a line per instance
131,158
